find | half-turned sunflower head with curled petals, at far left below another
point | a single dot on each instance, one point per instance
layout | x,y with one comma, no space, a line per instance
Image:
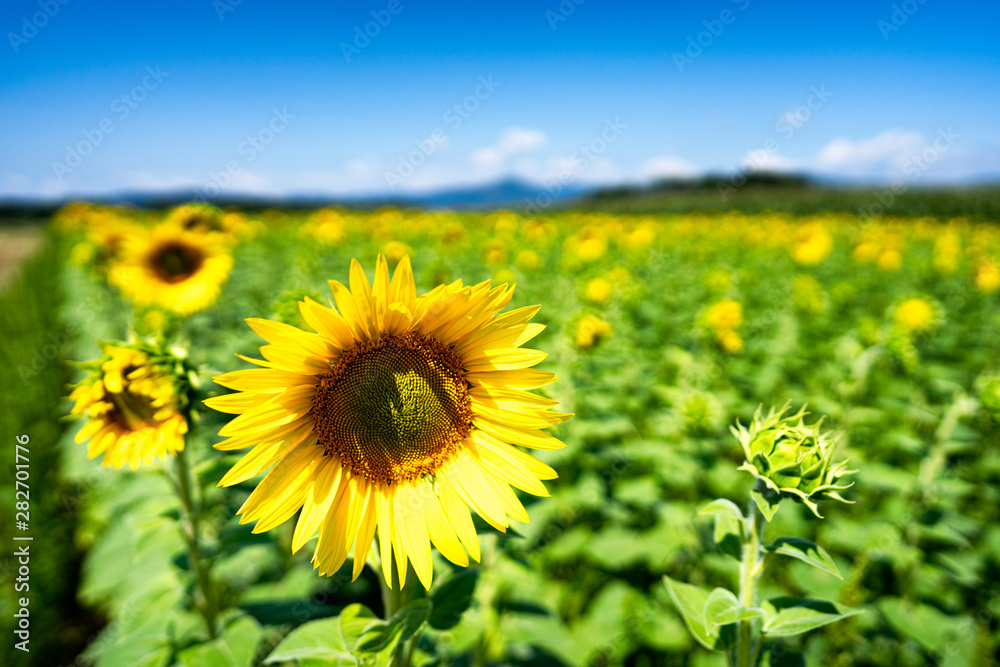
133,405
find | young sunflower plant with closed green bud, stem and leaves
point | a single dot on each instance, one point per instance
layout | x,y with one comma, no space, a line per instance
789,460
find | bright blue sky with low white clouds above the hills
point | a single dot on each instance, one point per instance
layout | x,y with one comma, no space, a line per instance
265,97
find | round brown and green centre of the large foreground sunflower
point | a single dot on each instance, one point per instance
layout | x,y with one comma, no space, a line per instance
394,410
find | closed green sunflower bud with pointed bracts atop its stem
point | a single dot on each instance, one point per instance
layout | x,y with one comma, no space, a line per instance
791,460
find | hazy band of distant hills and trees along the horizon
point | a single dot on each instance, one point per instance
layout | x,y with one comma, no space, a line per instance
795,193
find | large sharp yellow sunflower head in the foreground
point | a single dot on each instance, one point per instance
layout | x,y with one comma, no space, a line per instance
395,418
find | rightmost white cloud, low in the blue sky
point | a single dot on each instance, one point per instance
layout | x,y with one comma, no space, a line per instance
890,149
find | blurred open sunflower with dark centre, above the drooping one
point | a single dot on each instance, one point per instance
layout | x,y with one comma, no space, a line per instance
179,270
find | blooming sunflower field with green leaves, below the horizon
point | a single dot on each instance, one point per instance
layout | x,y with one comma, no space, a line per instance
282,437
